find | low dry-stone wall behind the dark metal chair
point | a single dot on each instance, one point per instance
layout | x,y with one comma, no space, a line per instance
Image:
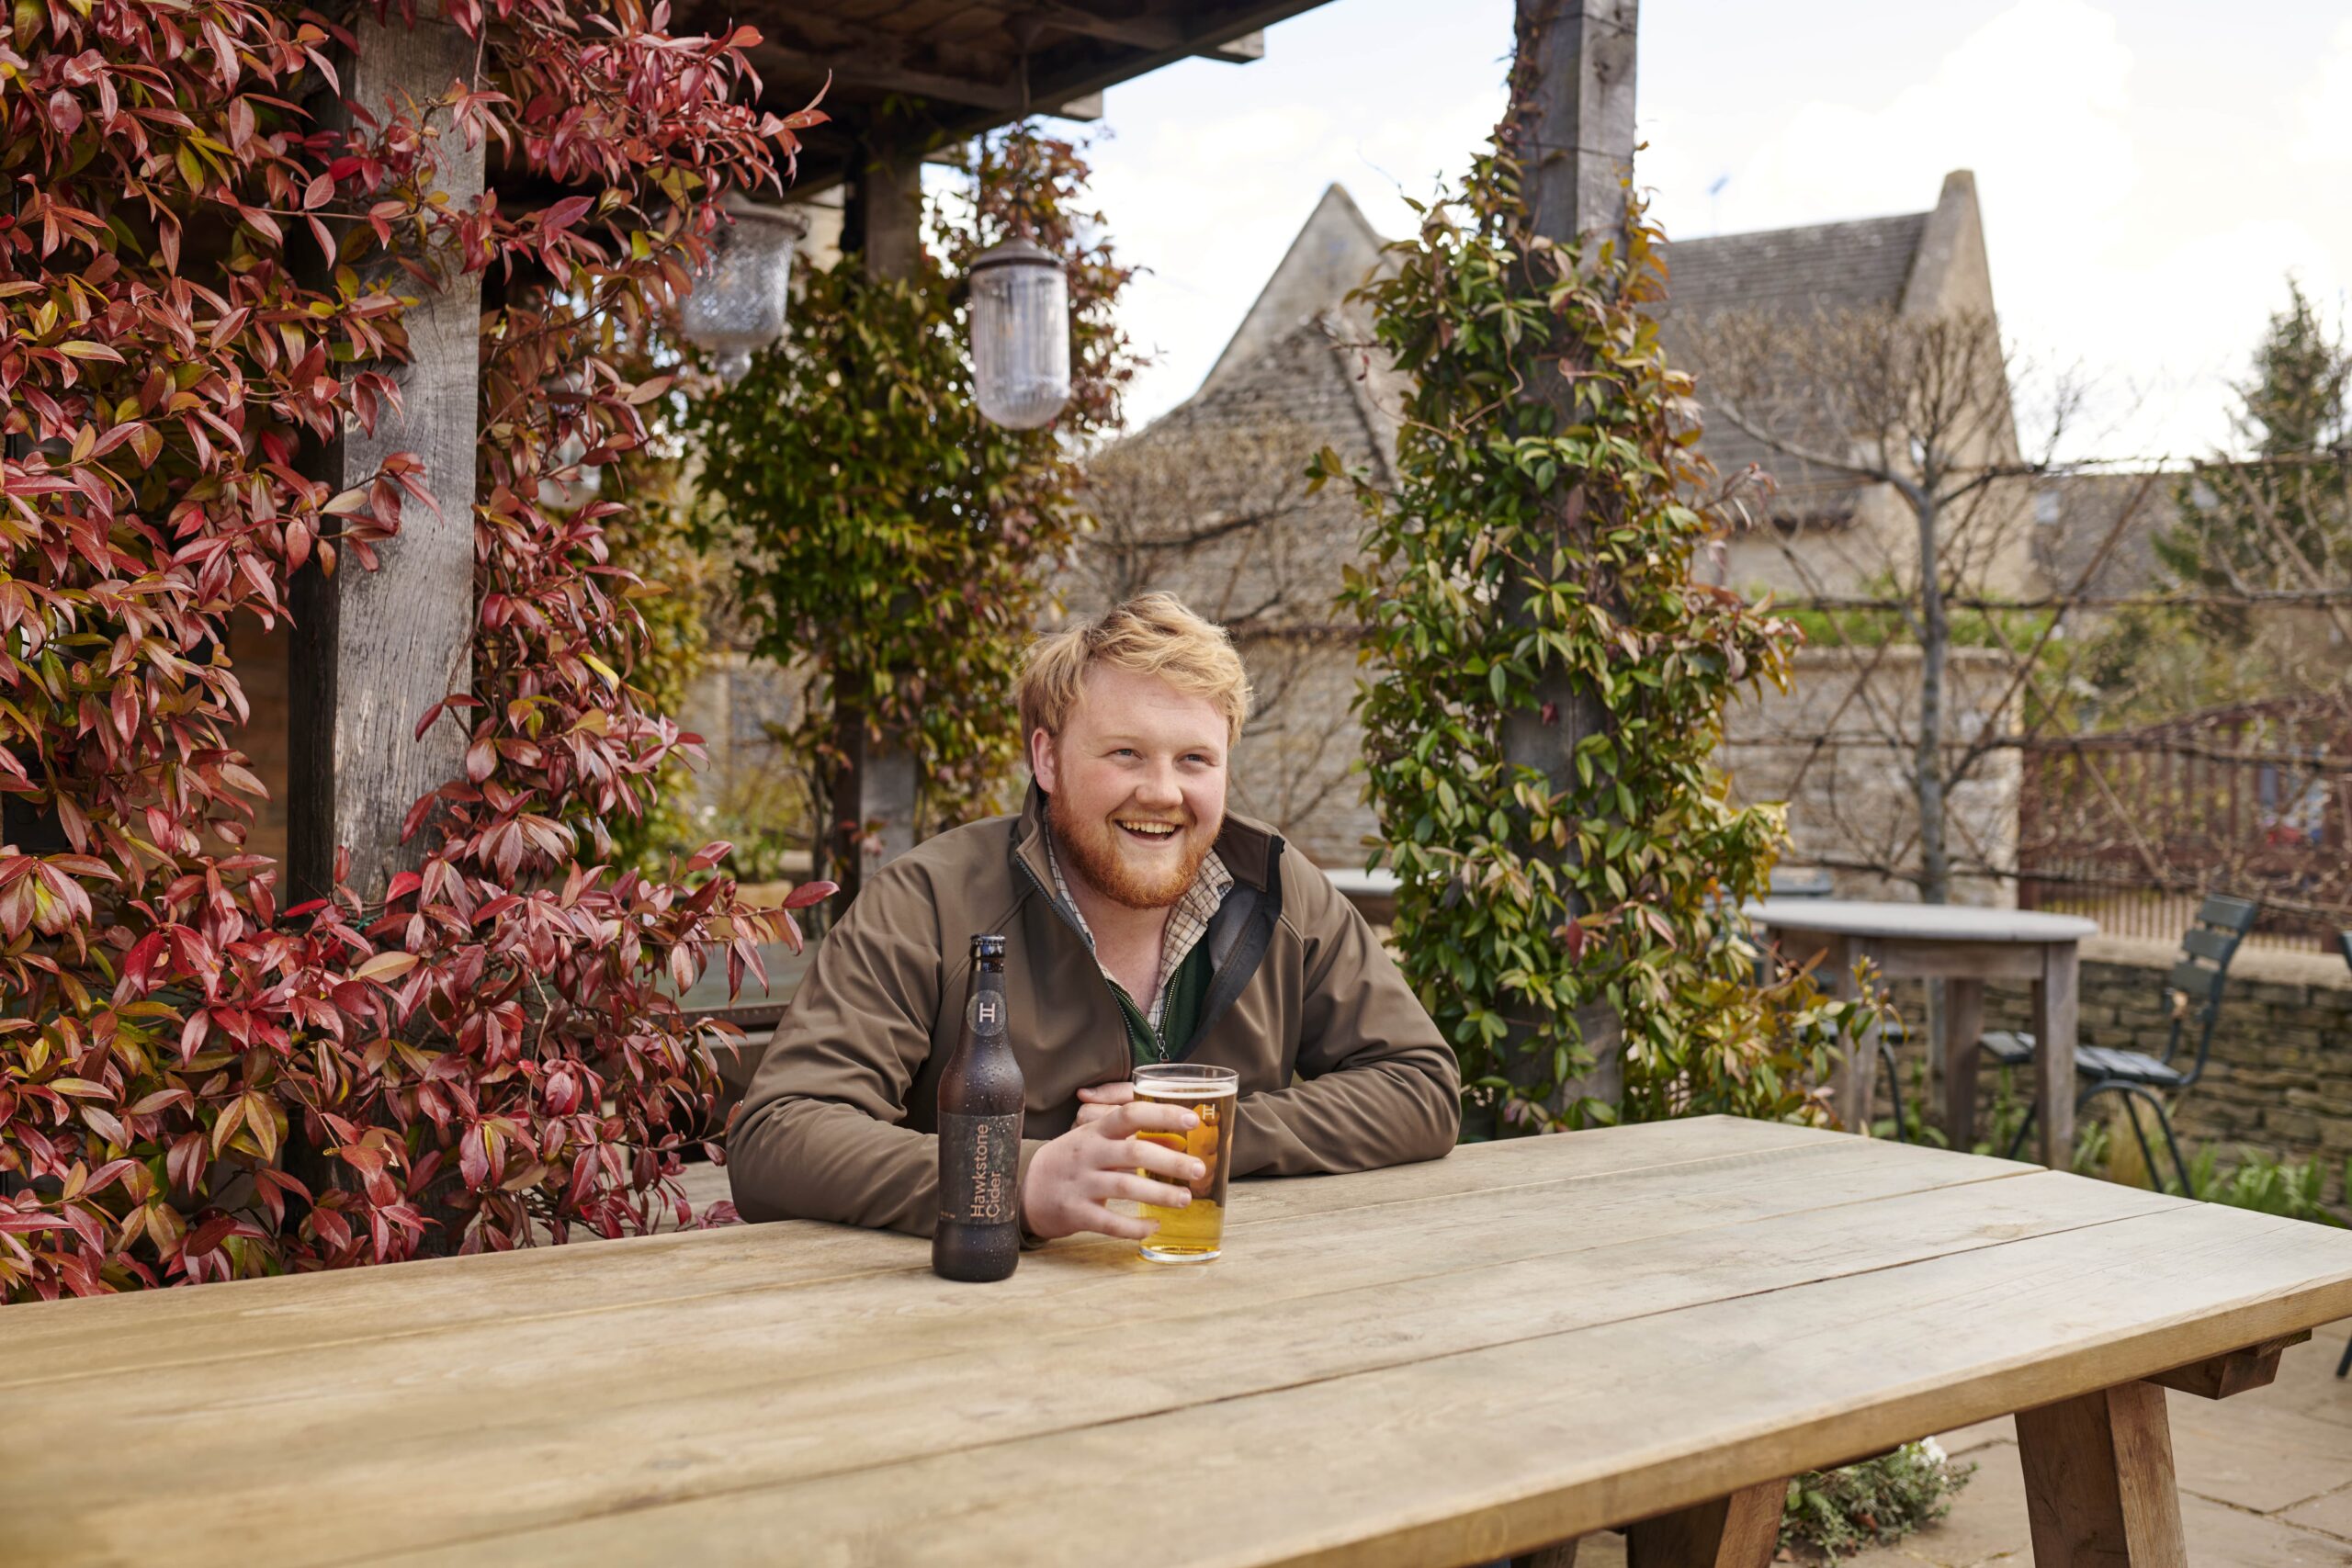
2283,1052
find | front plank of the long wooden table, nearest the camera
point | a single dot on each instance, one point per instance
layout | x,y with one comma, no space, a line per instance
1469,1456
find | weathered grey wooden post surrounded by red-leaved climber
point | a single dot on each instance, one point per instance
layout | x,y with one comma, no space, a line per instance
375,650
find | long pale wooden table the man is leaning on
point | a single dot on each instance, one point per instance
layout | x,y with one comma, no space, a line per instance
1434,1365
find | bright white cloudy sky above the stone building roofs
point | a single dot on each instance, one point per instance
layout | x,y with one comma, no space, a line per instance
2151,170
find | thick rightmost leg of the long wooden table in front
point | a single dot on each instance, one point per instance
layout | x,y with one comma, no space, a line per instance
2099,1482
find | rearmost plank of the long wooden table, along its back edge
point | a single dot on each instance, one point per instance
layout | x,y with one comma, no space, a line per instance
269,1318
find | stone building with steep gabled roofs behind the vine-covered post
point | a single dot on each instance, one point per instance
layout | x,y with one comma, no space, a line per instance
1210,504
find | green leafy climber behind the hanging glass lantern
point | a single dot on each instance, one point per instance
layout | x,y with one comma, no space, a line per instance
883,530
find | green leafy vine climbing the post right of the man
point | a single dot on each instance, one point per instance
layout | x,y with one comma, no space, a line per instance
1523,904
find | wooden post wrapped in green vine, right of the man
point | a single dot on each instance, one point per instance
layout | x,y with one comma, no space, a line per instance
1579,140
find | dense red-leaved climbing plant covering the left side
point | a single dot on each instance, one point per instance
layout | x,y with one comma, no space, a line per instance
201,279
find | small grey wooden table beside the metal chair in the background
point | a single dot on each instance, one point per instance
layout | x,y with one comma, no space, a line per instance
1963,949
